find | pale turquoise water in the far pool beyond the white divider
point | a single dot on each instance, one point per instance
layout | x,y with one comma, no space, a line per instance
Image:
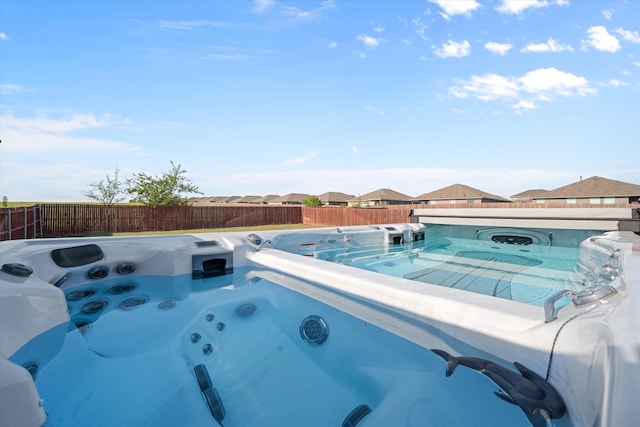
525,272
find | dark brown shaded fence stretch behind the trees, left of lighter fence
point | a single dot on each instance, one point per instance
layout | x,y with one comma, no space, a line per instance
67,219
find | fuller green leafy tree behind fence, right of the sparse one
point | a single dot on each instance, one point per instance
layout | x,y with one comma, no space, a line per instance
166,190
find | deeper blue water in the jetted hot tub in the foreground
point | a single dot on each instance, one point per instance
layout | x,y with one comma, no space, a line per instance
131,362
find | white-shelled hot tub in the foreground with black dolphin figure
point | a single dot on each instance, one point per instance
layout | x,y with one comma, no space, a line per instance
235,329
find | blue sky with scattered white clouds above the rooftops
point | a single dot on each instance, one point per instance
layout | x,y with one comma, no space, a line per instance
275,97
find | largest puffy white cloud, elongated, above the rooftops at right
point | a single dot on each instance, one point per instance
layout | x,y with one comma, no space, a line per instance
527,91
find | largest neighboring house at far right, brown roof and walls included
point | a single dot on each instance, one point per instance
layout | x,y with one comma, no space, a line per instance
595,191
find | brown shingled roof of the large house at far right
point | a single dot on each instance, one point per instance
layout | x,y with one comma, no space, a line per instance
595,186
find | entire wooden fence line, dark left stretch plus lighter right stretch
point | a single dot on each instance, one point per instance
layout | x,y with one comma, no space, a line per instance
76,219
